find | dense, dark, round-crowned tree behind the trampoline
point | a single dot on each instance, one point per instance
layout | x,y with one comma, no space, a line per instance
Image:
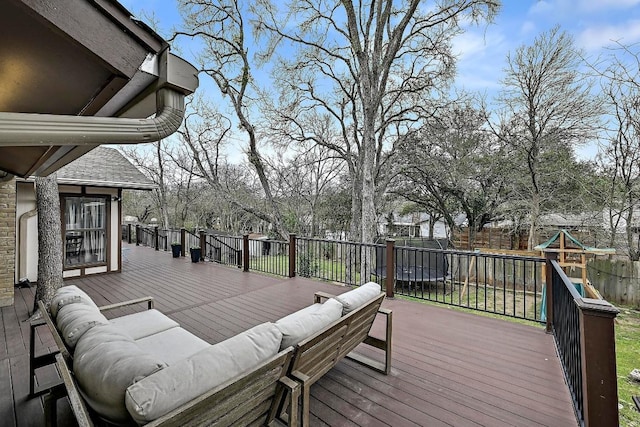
453,165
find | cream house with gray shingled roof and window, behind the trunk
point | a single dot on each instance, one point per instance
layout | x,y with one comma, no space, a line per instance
91,212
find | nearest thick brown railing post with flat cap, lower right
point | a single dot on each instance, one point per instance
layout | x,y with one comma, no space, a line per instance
598,348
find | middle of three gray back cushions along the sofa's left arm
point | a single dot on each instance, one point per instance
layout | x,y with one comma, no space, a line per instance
74,320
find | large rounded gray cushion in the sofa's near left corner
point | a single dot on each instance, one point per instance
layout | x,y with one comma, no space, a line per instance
106,362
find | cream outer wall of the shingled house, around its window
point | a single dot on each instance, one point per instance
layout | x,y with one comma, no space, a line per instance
25,244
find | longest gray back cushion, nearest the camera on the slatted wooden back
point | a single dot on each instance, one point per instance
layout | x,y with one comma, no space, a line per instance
160,393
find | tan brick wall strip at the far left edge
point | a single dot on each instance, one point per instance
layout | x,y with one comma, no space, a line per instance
7,241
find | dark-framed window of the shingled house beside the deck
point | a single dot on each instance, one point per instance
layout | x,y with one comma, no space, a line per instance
85,230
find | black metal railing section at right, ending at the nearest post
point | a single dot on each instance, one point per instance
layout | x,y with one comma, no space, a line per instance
566,332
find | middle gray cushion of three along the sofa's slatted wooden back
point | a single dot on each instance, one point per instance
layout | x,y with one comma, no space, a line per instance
306,322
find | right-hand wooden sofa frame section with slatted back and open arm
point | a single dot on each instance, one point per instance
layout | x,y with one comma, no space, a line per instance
317,354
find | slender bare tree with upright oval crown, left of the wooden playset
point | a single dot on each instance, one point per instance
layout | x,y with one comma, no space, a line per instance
545,103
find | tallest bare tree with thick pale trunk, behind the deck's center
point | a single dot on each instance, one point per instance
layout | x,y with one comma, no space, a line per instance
372,68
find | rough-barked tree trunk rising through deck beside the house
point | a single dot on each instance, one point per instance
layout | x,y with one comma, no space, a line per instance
49,239
